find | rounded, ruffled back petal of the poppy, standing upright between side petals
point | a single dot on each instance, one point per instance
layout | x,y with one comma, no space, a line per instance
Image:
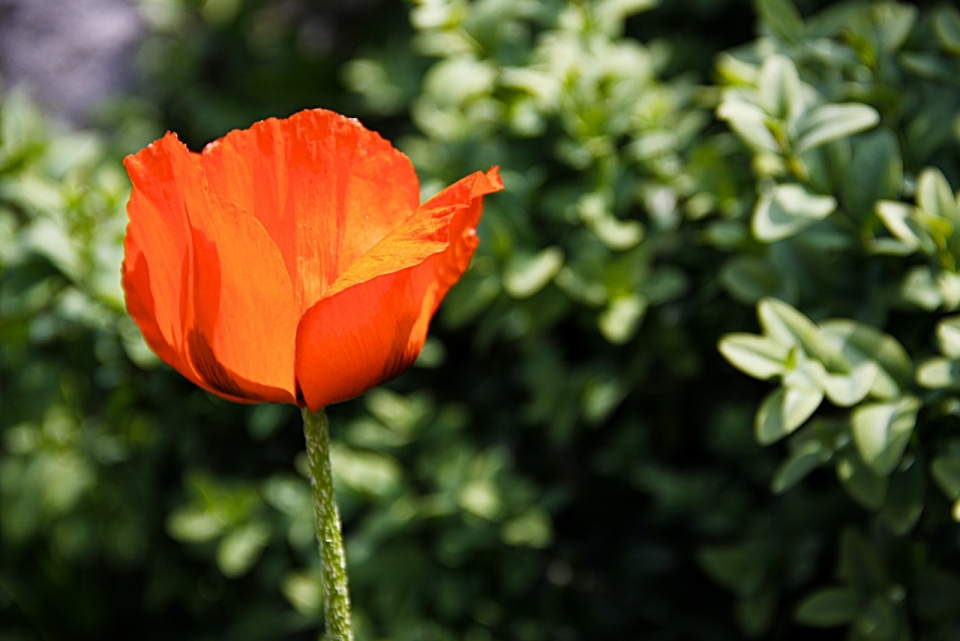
326,189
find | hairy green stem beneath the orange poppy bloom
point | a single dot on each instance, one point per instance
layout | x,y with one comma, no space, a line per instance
333,561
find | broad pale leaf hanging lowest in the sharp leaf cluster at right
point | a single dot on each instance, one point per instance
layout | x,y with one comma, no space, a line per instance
881,432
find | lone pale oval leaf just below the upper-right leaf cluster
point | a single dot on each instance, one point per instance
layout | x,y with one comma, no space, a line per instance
788,209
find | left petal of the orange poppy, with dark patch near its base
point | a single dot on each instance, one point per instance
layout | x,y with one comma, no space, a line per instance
205,283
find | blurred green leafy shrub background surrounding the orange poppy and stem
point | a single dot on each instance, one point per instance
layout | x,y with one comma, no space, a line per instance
596,443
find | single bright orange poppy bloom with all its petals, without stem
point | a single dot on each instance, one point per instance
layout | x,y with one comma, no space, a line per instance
292,262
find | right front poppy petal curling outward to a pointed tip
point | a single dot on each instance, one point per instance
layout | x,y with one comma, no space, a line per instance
370,330
